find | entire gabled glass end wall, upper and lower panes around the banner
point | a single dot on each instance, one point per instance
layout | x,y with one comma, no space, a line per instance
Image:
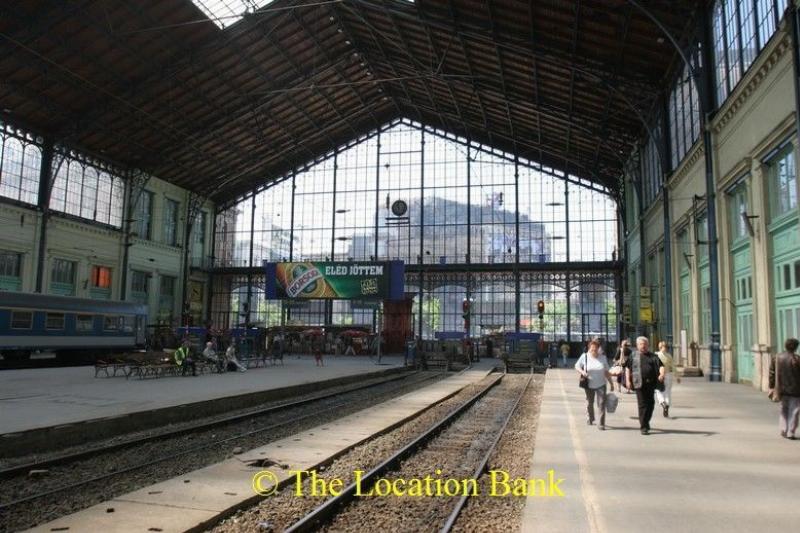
465,204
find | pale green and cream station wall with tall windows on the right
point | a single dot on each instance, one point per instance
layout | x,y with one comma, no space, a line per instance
753,131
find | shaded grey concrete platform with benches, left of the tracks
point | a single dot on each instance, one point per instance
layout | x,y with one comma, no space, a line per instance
47,397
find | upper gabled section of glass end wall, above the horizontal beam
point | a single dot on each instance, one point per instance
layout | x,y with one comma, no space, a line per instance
466,203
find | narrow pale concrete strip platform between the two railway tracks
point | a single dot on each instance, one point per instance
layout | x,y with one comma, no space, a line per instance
196,500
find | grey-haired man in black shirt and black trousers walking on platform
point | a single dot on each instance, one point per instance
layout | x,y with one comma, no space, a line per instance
644,373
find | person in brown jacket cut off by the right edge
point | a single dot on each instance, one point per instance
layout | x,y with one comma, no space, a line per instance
787,385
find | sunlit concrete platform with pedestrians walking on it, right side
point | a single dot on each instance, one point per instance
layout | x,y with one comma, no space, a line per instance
717,465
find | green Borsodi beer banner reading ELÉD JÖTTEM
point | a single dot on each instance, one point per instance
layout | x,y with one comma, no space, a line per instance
335,280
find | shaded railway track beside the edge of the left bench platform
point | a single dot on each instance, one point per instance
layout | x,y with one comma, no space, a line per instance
221,436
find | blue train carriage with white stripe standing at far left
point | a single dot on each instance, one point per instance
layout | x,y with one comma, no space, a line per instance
72,328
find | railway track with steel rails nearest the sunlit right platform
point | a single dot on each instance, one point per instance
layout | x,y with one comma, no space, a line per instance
469,433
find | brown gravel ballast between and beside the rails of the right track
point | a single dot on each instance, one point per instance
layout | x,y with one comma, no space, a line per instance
456,452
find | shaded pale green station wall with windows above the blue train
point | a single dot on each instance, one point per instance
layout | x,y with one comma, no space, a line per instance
83,250
